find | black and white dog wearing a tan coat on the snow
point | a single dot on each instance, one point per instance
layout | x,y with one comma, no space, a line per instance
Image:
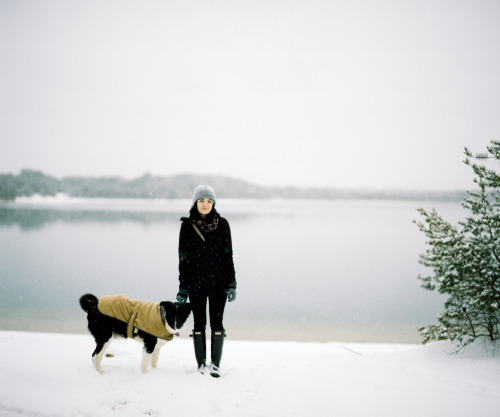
120,316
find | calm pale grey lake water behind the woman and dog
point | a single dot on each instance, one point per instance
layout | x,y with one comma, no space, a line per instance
306,270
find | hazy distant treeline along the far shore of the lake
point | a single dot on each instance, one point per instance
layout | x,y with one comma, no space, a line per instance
29,183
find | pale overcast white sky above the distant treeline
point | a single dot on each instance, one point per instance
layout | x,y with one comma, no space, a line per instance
343,94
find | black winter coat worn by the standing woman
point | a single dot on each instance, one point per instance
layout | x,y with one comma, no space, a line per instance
201,271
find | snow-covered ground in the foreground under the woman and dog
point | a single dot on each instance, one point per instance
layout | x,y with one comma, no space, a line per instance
44,374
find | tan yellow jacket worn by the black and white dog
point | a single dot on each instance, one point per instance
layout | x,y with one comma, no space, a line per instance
145,316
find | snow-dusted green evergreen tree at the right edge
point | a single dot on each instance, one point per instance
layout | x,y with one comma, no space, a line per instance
465,259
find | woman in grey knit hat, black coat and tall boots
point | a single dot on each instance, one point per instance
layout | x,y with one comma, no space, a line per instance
206,272
